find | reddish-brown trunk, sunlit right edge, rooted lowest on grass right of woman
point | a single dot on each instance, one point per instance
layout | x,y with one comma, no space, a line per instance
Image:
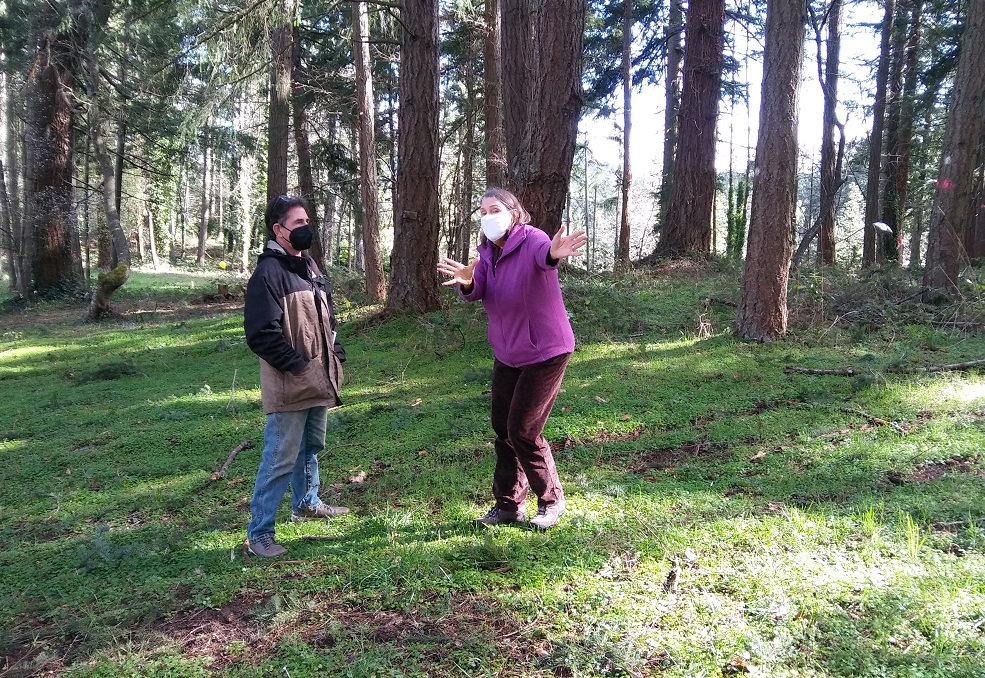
762,315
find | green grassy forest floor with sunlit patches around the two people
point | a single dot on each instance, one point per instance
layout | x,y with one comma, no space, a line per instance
726,516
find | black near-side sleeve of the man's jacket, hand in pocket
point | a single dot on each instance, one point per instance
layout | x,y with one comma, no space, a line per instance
262,316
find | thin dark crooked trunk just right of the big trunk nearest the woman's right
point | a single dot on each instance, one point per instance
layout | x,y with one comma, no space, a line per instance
830,159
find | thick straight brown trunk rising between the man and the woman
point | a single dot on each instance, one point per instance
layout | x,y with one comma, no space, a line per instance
414,277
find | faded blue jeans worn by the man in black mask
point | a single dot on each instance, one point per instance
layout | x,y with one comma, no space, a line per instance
291,443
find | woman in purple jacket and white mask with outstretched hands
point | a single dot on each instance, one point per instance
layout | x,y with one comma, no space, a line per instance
515,276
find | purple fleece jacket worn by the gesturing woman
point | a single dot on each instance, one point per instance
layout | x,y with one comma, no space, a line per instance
521,295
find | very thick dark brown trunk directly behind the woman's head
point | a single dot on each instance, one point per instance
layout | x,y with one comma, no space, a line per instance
550,76
